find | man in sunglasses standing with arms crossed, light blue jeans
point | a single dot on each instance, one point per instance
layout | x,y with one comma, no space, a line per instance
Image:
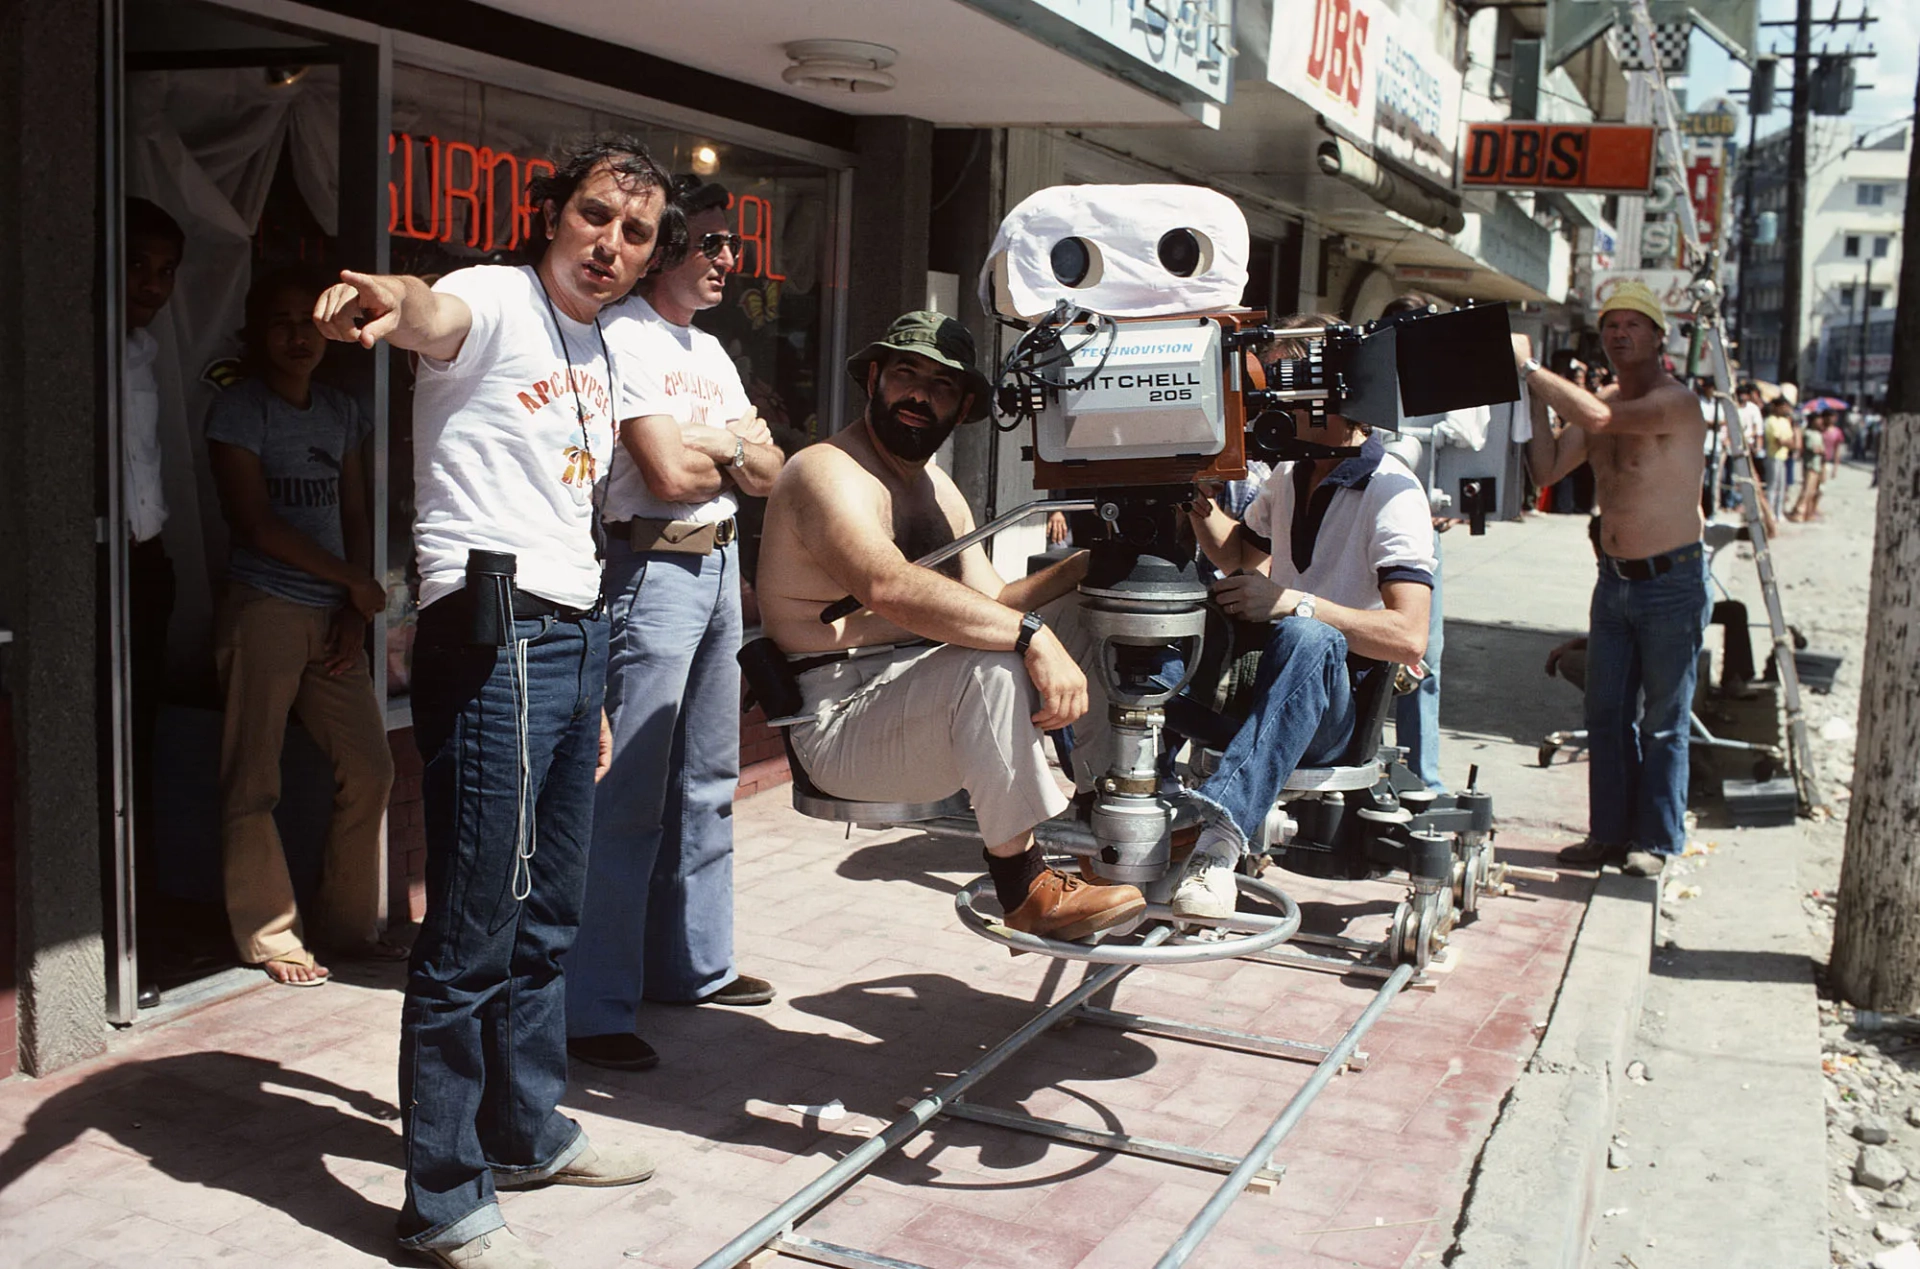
660,915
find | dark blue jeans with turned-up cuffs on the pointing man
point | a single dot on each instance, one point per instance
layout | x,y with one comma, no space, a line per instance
483,1043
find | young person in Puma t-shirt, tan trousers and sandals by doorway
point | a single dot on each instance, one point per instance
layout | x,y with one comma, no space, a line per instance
291,638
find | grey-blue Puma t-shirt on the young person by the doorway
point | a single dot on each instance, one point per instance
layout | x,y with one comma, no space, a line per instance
302,454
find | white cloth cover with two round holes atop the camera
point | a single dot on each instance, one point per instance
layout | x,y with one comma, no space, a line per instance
1122,226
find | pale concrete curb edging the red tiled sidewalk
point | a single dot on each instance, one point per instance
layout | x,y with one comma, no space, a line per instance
1537,1184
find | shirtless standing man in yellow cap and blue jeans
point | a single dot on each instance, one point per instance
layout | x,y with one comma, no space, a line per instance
1644,439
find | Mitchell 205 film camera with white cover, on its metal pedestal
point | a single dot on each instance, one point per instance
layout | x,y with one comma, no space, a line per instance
1140,375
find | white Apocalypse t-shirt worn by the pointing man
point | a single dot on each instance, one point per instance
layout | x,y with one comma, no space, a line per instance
502,456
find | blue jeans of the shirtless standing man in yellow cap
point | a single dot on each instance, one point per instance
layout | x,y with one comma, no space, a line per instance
1644,640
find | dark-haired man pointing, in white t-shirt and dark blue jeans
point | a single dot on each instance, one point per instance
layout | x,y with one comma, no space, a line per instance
516,423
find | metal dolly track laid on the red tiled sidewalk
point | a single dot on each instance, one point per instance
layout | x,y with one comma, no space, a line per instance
777,1230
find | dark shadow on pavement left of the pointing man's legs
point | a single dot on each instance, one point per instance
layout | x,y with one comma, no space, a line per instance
208,1118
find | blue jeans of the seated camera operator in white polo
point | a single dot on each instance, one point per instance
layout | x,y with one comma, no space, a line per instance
1303,717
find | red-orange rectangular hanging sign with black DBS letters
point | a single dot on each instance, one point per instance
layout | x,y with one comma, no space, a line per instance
1606,158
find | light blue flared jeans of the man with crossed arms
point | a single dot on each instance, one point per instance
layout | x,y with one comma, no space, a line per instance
660,913
